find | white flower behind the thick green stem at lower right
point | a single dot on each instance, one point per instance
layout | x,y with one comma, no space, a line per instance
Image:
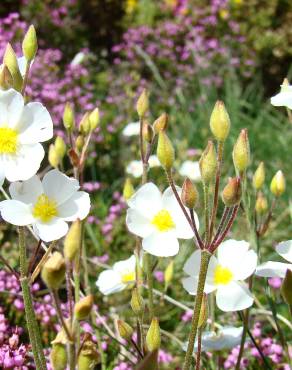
235,262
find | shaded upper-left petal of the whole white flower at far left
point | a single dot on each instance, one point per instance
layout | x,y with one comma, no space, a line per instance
26,191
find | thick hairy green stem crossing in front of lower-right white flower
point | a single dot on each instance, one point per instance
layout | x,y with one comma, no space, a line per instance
205,258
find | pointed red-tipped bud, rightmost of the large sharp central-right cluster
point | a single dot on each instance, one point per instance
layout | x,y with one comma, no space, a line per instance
241,152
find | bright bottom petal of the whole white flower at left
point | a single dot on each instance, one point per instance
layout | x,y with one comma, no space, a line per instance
53,230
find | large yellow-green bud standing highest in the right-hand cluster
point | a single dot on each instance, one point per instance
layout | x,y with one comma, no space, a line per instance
220,122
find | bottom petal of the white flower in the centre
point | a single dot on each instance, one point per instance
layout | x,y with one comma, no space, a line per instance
163,244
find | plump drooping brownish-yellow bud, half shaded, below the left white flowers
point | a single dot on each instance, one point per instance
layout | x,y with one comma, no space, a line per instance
53,271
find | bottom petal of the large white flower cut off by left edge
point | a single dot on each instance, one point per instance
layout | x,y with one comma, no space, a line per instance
24,164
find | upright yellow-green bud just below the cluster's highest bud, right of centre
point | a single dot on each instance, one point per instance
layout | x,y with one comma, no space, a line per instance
208,163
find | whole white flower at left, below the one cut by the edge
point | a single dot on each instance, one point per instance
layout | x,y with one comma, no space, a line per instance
46,204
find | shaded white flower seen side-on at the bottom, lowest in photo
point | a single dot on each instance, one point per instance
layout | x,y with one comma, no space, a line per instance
226,338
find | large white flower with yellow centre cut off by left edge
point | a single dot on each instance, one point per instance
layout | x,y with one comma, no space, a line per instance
22,129
